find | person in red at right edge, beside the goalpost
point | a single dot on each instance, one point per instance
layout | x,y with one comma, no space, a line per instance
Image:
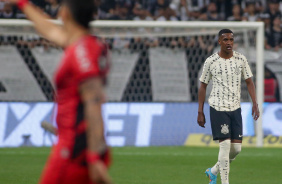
271,88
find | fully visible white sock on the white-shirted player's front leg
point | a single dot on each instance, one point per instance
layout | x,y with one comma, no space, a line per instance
223,159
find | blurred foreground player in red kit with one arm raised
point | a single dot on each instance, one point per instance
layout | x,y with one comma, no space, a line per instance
81,155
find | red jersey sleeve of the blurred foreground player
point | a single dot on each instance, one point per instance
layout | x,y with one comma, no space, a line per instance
86,61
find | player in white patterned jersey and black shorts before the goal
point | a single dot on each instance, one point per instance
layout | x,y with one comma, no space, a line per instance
225,68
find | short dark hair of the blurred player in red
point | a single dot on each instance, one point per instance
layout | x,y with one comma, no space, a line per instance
81,10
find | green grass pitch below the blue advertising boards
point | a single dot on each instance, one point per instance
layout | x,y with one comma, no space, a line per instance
154,165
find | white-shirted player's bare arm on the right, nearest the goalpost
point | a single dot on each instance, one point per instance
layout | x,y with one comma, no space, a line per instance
252,92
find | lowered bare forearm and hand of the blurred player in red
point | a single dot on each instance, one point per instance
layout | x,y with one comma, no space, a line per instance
92,96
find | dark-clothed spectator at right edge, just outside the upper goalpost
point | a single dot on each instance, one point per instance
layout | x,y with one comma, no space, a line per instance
274,40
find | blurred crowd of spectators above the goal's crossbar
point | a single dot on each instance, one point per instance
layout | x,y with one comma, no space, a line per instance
269,11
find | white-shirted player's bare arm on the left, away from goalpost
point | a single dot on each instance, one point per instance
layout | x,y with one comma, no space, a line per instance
201,99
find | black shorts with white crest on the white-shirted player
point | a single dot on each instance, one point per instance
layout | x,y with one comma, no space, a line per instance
226,124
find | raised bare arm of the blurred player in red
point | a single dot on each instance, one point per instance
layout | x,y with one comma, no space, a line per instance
47,29
